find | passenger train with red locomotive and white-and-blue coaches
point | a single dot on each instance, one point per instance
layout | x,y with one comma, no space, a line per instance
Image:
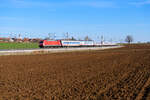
69,43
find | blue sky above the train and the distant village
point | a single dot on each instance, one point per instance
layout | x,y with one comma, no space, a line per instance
114,19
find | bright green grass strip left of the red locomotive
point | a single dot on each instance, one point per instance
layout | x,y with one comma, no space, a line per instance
18,45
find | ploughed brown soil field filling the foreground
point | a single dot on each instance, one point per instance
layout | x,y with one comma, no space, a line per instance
109,74
